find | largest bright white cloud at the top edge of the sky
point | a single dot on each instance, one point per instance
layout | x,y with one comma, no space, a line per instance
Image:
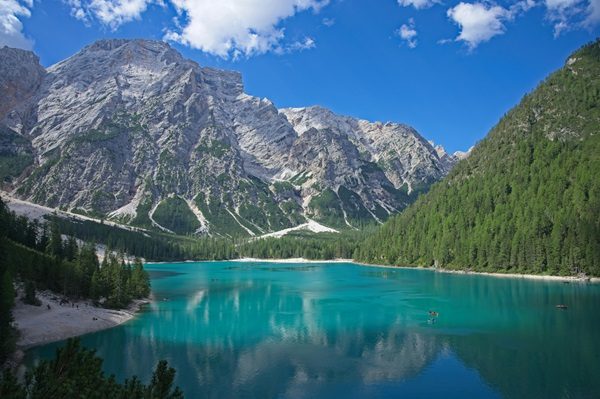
233,28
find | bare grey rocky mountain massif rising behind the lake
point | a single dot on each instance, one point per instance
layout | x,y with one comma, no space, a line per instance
131,131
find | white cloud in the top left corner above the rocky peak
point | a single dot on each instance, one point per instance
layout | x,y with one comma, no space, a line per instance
11,27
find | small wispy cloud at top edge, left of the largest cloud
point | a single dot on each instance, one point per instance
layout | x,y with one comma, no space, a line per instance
109,12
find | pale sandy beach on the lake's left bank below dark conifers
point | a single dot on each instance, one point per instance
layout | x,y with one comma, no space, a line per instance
39,325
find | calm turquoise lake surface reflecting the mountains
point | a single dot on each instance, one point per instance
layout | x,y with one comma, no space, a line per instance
266,330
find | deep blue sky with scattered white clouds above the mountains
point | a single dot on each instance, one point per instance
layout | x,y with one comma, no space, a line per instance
451,69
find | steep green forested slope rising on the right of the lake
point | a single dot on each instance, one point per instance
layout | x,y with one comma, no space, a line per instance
527,199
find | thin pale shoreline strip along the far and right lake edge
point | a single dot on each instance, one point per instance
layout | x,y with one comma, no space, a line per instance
542,277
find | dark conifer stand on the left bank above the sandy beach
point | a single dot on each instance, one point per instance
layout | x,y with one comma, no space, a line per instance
38,257
